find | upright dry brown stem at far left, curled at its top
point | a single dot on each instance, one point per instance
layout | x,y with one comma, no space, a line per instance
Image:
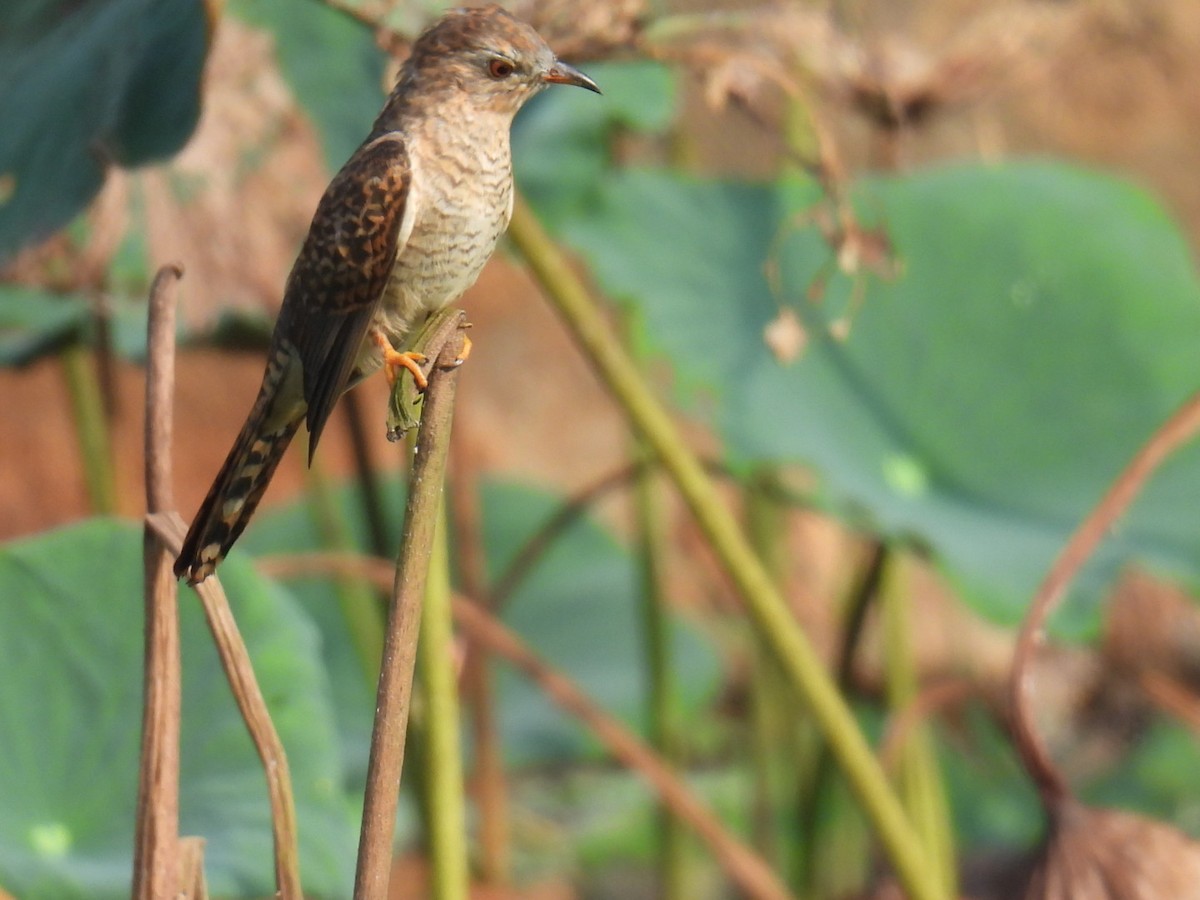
157,844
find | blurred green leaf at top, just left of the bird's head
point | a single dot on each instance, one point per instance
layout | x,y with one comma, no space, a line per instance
333,64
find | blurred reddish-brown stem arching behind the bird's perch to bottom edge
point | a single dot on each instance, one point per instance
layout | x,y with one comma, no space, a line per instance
752,874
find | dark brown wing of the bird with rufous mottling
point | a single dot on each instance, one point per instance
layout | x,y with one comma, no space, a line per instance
343,271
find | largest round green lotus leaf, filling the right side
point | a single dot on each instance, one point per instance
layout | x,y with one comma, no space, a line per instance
1043,323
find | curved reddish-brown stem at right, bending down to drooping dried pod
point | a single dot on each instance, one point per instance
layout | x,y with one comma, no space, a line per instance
1034,753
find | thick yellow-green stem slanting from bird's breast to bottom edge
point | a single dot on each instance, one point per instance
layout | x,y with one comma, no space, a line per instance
777,626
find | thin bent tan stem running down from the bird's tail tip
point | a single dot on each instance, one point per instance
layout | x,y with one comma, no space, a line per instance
171,529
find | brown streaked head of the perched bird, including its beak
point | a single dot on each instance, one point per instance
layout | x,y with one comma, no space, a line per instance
490,56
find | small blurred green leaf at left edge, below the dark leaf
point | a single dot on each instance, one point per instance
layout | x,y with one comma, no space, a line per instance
35,323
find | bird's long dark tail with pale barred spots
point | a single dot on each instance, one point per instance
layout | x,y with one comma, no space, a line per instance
238,488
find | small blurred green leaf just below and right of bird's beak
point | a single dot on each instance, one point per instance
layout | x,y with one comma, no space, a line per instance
562,142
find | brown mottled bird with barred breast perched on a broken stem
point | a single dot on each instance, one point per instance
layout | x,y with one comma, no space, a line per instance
403,231
